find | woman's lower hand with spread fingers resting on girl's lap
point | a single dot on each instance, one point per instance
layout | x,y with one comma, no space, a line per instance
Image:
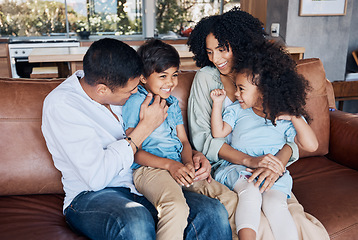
264,174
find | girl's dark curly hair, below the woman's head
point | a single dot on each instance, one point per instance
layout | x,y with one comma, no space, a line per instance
274,72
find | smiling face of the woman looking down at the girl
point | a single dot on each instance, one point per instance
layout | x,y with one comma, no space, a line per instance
221,57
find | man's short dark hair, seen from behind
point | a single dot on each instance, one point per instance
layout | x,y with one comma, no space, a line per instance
112,63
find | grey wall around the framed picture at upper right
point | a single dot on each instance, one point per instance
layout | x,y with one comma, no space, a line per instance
330,38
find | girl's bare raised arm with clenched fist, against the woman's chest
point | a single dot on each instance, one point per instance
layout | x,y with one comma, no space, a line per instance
219,128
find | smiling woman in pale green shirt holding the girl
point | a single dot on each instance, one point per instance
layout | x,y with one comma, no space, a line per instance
216,42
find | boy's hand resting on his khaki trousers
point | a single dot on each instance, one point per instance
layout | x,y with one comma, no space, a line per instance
182,174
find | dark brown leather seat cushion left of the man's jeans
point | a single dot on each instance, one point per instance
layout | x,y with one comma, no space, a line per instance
34,217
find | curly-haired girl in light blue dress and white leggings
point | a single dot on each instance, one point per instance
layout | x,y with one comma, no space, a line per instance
270,101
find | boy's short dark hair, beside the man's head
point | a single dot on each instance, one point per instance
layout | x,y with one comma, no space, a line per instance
157,56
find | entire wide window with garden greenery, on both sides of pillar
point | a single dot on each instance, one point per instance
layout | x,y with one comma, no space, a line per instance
102,17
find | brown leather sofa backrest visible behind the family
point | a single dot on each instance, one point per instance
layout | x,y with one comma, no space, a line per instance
26,166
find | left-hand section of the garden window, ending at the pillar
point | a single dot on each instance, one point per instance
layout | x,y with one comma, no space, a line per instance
50,18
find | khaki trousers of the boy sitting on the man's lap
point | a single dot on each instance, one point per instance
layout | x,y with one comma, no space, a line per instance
166,195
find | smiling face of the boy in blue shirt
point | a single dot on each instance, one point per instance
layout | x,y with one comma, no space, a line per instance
162,83
